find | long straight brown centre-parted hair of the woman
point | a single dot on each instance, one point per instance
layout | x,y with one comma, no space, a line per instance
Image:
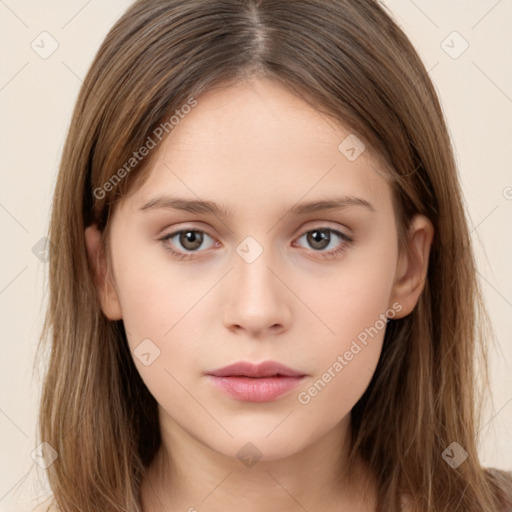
350,60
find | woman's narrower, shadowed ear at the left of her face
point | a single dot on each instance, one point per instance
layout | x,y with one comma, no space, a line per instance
103,280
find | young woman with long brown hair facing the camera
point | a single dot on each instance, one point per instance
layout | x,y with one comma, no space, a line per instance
262,289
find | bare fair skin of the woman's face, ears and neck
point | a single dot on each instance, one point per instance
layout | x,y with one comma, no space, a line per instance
258,149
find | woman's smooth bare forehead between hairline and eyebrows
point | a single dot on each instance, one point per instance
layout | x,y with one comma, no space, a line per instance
255,145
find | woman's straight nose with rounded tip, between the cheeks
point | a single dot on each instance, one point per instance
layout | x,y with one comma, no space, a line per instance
258,295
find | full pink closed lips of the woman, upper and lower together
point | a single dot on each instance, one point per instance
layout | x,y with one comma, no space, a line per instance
256,383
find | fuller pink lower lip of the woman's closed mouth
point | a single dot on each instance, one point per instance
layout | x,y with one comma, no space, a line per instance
251,389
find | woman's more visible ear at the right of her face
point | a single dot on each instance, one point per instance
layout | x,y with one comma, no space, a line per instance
412,266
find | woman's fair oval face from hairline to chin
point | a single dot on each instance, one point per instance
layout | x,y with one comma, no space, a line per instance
262,278
